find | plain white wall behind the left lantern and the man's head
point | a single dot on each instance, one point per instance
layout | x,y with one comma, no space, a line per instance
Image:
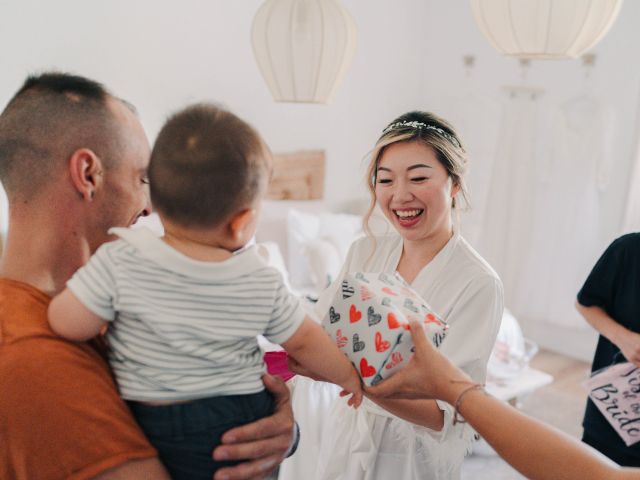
161,55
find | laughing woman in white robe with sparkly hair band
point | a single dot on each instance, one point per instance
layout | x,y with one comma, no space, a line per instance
417,180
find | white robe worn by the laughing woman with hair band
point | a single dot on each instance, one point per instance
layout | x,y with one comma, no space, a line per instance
340,443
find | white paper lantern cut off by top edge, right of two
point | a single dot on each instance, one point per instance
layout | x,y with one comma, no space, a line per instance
544,28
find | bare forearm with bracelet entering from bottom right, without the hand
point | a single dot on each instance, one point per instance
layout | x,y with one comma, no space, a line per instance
533,448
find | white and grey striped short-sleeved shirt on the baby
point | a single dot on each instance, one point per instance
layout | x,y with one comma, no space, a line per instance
184,329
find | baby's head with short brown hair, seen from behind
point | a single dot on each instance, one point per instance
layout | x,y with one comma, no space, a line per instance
208,171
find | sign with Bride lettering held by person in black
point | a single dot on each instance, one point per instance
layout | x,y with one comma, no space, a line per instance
616,393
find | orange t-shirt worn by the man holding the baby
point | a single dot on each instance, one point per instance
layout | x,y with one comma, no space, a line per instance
60,413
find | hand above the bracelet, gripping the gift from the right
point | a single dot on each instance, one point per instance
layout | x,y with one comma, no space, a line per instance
428,375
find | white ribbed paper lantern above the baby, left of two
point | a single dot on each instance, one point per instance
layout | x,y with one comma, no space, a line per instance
303,48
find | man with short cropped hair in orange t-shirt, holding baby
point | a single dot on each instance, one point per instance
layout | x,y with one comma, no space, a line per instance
73,162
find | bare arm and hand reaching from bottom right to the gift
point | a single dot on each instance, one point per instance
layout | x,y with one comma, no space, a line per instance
533,448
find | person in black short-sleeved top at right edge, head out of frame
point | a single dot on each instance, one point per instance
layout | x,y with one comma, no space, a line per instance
610,302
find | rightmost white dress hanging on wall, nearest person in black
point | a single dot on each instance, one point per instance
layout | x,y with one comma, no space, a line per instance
568,214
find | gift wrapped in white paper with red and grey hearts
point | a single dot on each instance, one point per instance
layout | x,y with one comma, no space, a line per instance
369,321
